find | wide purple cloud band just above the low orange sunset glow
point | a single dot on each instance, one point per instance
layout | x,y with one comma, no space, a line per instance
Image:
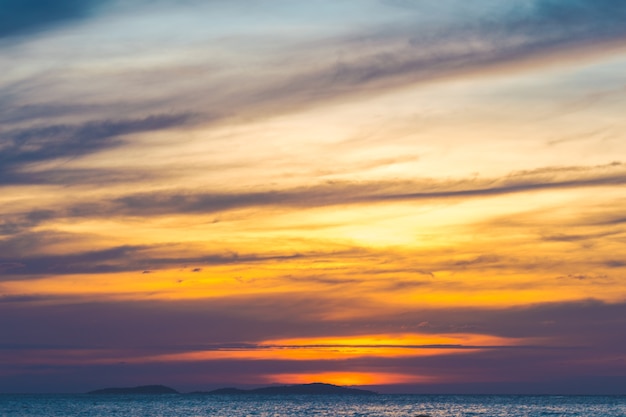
235,321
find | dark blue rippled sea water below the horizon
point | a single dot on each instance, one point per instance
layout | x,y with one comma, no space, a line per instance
310,405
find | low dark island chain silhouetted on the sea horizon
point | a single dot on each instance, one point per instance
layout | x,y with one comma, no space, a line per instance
316,388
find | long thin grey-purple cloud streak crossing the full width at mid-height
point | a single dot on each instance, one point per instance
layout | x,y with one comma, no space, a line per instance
326,194
